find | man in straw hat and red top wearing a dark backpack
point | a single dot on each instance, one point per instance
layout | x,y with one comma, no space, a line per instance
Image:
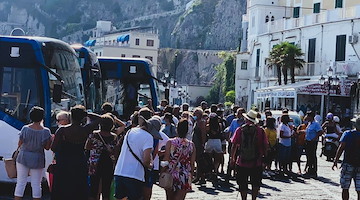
249,161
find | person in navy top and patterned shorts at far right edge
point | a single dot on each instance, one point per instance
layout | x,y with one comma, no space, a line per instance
350,144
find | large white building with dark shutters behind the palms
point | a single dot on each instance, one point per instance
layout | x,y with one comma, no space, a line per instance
327,31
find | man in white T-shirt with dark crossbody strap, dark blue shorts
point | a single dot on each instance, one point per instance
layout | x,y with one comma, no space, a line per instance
135,158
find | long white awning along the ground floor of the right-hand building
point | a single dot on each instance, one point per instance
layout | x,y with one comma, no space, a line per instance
309,87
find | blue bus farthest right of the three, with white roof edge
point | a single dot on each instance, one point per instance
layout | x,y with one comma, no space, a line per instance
128,82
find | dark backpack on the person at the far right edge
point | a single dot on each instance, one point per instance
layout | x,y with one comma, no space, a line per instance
353,150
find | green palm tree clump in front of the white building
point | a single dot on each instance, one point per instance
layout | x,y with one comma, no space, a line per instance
286,56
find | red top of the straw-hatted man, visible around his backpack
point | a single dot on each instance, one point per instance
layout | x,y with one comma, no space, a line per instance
262,145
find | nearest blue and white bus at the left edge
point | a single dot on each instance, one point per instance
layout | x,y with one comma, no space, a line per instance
34,71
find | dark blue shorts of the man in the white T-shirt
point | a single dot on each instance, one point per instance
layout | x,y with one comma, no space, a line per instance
128,187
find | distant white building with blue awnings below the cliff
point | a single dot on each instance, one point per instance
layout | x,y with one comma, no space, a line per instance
140,42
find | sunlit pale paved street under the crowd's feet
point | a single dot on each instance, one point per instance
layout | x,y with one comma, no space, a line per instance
326,187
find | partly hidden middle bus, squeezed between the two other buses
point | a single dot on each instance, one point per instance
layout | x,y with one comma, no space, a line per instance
91,75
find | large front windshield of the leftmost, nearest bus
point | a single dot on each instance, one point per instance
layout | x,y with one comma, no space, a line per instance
19,90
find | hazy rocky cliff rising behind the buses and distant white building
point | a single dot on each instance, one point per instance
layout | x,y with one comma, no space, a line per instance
185,24
